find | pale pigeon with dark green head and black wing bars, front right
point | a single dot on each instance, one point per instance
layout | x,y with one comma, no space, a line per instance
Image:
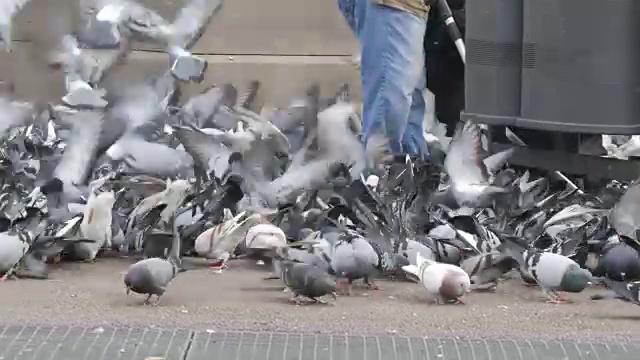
552,272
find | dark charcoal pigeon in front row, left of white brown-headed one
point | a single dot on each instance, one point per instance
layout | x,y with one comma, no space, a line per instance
305,279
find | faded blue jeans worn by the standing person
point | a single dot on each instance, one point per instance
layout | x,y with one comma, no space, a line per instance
392,71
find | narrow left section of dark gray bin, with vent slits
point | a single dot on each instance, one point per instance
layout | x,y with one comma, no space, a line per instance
493,61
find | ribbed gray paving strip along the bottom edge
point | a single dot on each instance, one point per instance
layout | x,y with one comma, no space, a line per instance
77,343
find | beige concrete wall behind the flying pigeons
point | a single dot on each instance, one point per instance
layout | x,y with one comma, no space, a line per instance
286,44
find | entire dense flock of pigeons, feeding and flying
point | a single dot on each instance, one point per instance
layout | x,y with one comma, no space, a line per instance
125,168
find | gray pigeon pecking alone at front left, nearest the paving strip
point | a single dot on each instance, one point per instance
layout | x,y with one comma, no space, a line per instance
152,276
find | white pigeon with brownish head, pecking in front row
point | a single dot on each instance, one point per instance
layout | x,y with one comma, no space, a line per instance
443,282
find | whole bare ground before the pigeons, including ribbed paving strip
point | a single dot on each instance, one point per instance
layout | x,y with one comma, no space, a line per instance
83,312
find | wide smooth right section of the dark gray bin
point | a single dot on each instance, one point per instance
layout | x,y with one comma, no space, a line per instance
581,66
